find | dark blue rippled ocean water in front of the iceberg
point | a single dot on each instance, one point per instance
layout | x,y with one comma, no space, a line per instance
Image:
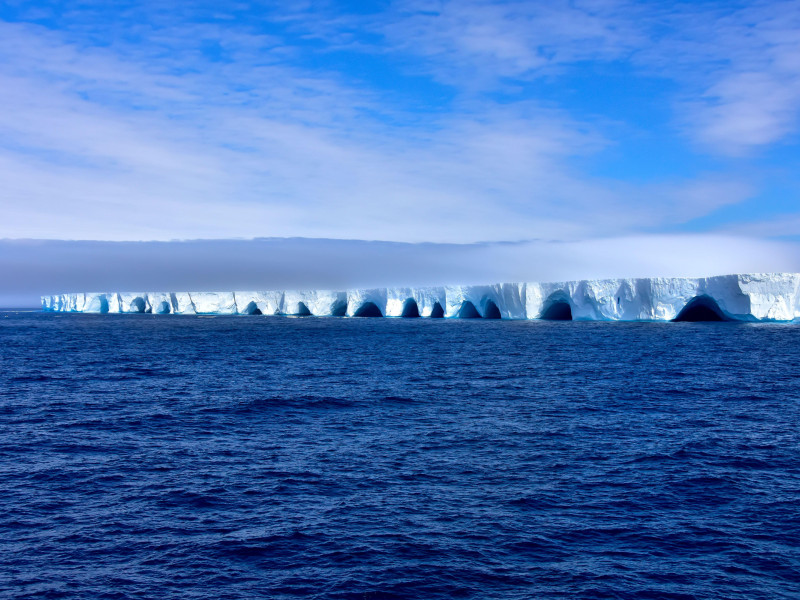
266,457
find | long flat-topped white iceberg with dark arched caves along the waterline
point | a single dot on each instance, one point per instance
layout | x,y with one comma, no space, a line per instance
748,297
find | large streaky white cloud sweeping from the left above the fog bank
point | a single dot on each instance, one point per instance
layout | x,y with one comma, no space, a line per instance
102,143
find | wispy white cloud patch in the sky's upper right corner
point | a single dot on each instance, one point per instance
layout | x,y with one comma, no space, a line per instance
741,71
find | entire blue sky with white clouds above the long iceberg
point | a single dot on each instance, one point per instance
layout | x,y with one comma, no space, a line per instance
471,126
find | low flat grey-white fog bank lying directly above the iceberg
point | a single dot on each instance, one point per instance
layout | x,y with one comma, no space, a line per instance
30,268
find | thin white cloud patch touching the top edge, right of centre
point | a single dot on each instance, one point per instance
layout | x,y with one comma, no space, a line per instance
474,42
